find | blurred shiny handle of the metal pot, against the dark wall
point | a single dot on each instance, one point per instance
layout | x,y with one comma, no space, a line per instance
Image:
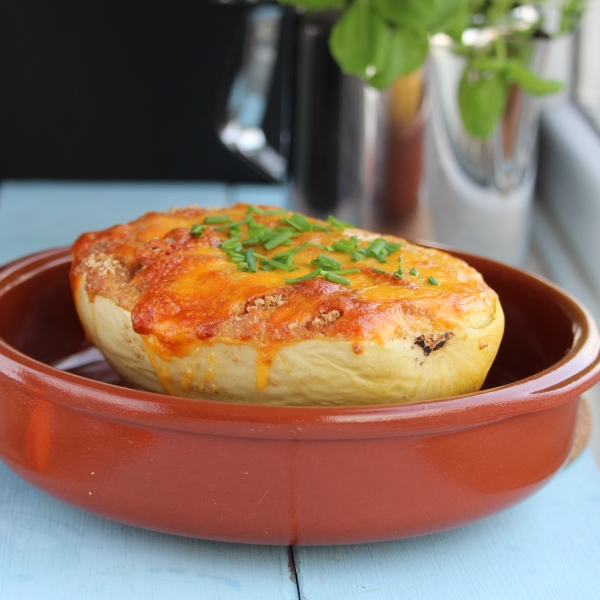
242,127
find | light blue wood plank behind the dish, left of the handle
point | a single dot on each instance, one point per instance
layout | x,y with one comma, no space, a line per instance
39,215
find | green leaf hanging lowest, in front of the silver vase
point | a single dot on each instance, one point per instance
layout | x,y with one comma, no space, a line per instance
481,100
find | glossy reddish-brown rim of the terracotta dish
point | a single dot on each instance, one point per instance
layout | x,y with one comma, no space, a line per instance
577,370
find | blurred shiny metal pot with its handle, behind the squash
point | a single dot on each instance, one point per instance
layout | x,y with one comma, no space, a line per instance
343,131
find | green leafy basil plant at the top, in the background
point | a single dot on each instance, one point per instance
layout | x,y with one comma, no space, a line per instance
380,40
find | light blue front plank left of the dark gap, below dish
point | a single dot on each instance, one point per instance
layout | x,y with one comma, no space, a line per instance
53,551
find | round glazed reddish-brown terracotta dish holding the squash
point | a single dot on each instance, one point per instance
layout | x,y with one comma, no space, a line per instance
279,475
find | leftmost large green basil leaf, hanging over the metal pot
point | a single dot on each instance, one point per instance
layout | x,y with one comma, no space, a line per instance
356,37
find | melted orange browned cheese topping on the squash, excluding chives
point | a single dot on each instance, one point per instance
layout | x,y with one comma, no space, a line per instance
183,290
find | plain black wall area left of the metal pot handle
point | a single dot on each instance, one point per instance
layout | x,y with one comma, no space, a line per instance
114,90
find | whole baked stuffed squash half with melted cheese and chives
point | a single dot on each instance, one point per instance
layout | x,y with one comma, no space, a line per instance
251,304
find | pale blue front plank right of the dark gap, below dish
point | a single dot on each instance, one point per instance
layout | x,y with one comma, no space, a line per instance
546,547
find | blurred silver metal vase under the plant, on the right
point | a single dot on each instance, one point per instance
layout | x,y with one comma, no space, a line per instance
480,191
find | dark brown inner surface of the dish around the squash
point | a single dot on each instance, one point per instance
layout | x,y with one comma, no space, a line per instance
38,318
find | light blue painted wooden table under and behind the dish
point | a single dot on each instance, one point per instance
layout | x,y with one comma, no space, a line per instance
548,547
